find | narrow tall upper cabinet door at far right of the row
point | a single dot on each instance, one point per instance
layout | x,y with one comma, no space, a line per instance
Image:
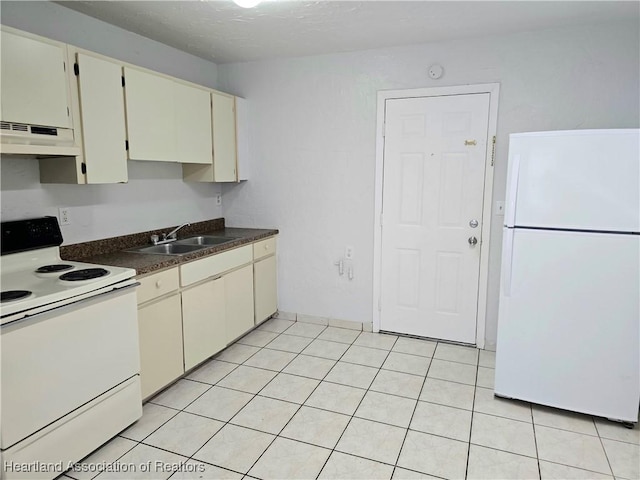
224,137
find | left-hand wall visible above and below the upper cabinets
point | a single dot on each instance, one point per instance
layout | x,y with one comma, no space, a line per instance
155,196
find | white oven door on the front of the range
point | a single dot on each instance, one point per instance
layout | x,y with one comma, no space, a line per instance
56,361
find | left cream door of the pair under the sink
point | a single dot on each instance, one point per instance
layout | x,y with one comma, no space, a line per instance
203,317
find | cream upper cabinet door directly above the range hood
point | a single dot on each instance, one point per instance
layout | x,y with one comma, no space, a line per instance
34,82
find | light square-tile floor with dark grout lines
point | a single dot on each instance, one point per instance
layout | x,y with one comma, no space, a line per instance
295,400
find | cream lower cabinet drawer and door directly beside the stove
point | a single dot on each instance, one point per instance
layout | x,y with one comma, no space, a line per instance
160,331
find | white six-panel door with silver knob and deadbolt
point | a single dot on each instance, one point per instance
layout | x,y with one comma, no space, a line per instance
434,164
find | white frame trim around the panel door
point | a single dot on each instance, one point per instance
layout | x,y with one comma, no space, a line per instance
494,90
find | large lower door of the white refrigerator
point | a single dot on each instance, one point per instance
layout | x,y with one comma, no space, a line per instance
568,321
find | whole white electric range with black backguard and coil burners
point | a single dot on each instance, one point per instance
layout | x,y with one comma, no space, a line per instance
70,372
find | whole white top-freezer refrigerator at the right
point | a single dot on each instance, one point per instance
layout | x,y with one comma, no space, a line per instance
568,326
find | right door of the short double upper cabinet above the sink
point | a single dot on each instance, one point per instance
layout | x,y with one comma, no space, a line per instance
193,124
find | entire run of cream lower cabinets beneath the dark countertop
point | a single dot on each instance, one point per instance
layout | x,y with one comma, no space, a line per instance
189,313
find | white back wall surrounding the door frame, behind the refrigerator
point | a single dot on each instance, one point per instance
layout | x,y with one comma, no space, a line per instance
313,135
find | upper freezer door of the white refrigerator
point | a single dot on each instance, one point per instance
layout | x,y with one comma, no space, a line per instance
584,179
